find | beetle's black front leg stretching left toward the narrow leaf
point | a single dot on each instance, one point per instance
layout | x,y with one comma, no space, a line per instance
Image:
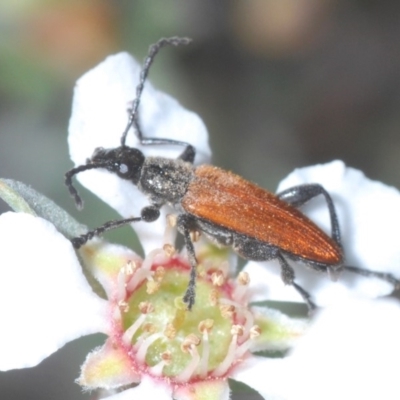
148,214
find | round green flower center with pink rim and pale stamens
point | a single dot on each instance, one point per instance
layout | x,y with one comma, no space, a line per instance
163,338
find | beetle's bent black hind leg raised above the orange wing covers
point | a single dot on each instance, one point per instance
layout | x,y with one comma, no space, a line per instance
299,195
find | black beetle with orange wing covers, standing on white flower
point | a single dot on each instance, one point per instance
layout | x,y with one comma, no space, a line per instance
226,208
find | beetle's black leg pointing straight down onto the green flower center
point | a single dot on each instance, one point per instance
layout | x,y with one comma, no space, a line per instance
185,225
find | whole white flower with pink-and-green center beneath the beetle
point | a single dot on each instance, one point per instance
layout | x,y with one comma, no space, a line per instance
349,340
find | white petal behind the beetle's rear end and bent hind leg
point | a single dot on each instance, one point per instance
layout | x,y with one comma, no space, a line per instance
369,219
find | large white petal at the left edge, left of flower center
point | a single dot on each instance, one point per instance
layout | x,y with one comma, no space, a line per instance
45,300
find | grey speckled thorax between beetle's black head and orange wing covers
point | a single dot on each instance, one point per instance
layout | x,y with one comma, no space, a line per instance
165,180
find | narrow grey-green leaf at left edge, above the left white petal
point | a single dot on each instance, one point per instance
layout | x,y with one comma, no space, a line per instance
23,198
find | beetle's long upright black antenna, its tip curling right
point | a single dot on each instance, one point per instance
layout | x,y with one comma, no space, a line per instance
153,50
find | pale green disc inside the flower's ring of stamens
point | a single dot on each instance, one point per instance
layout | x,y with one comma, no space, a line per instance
169,309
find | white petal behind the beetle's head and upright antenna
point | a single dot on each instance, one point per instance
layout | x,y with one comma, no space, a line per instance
99,116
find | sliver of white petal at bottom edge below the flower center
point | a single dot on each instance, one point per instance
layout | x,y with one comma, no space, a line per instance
147,389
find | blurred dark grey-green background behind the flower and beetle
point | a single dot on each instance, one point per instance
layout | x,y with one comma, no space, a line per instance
279,83
